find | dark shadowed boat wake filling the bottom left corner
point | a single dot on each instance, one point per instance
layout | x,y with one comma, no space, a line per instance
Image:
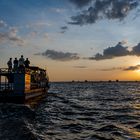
16,122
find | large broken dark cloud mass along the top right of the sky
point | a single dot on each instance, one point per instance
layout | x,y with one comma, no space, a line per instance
99,9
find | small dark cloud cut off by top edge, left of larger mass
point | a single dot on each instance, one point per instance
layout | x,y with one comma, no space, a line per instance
80,3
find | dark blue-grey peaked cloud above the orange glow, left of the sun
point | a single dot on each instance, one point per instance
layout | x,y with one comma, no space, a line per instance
111,52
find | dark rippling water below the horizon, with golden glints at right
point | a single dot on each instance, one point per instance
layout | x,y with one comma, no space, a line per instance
77,111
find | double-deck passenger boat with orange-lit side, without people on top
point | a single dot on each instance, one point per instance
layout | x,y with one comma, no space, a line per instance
21,85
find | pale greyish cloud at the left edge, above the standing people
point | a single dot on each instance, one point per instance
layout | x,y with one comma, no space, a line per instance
12,37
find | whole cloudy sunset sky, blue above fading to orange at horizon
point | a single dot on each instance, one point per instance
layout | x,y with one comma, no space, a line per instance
73,39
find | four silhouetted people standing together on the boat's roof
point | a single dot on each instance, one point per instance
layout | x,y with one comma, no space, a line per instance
18,64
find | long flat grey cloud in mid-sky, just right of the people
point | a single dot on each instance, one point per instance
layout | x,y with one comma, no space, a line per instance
60,56
